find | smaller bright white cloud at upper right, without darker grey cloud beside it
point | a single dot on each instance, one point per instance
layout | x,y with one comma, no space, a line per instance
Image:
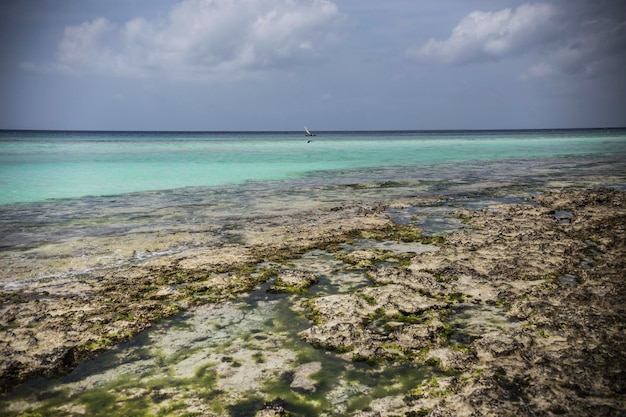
491,35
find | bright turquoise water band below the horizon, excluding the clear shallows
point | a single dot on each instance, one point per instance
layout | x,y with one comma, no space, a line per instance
37,166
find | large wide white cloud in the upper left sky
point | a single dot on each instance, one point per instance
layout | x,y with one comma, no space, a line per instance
200,38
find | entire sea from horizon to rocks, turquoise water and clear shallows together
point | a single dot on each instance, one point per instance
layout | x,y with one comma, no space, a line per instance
58,185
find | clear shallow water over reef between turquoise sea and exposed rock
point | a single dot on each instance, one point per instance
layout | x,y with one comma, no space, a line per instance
69,237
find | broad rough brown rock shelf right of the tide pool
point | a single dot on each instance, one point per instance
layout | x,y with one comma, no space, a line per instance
553,348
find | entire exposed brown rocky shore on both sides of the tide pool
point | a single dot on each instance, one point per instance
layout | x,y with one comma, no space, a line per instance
522,312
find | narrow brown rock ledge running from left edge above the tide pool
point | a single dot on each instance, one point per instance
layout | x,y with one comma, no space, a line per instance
50,325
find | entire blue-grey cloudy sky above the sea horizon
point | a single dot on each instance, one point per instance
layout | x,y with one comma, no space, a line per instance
329,64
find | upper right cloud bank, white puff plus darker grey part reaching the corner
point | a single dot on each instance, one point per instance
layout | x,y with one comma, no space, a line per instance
563,38
